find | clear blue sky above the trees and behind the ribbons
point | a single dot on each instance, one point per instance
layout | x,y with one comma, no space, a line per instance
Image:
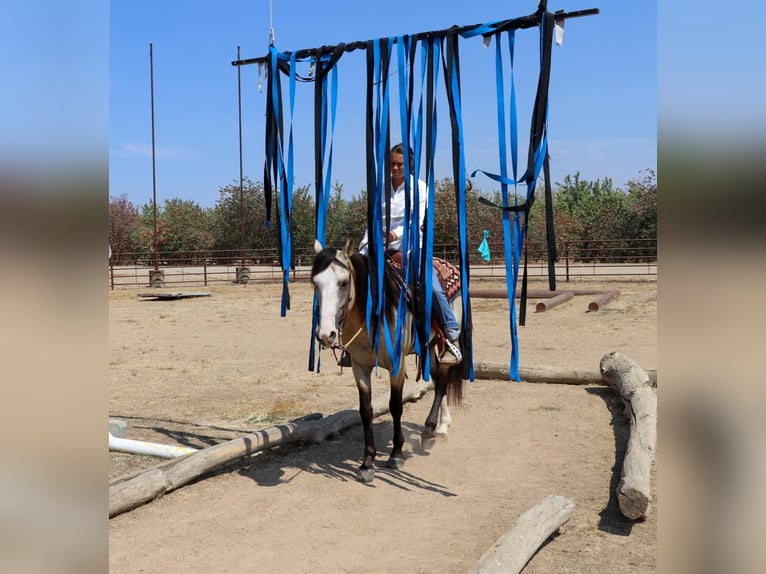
602,120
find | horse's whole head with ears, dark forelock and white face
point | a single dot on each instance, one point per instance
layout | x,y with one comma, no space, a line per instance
332,276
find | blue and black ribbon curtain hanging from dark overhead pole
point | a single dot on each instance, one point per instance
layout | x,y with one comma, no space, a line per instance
419,130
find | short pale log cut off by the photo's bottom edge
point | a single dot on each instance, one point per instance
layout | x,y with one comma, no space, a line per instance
513,550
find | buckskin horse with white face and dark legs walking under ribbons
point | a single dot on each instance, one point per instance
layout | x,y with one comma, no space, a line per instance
340,278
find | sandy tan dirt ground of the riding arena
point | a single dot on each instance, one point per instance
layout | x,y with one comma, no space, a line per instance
201,371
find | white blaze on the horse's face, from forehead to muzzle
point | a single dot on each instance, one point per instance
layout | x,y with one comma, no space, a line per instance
332,287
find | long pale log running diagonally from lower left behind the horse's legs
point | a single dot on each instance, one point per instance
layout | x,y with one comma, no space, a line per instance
126,493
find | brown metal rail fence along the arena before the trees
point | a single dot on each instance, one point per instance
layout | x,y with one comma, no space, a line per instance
618,258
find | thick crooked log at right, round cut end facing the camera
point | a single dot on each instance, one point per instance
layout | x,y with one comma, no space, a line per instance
632,382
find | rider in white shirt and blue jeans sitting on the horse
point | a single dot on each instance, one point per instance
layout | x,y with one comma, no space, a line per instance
452,354
